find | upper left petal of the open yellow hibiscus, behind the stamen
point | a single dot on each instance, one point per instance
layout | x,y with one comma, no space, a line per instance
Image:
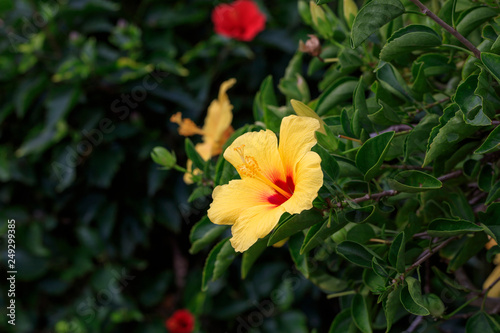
263,148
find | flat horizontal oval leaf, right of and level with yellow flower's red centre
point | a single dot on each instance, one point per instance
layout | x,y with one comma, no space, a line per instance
414,181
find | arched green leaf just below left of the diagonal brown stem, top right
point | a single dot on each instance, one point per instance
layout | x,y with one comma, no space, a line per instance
408,39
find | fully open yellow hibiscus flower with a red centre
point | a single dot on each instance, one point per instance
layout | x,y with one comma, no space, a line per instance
274,180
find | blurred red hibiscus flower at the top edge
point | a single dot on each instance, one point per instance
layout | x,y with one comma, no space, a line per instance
241,20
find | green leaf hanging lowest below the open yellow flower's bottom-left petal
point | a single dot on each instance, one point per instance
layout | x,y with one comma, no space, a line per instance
218,260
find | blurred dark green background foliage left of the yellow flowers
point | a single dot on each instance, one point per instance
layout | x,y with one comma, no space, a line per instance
84,217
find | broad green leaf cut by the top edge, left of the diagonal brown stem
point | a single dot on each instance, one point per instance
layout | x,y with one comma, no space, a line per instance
372,17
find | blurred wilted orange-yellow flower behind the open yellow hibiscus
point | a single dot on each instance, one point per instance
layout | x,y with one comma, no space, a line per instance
216,130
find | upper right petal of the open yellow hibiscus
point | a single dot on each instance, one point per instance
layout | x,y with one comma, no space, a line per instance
297,137
